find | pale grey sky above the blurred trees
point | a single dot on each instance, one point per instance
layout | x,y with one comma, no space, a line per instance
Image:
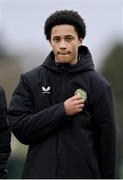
22,22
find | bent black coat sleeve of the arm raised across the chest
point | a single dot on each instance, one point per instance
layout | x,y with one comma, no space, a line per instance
32,127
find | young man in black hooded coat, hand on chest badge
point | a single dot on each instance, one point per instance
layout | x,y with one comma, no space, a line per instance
63,109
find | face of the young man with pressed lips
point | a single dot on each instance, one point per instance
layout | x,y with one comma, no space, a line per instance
65,43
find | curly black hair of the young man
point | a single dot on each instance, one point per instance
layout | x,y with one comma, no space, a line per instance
65,17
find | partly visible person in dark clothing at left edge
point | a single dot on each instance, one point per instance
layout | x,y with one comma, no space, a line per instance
5,136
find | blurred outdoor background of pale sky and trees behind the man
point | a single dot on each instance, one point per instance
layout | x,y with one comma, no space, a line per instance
23,46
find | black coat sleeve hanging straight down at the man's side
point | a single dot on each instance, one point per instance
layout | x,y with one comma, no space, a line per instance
105,128
